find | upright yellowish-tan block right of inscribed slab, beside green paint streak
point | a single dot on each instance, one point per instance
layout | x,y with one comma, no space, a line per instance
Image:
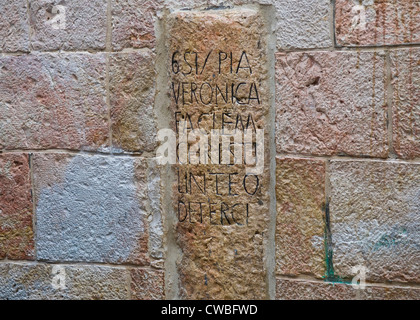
300,190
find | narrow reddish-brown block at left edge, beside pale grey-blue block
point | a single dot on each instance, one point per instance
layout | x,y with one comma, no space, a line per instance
16,234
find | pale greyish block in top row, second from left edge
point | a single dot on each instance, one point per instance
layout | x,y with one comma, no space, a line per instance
85,25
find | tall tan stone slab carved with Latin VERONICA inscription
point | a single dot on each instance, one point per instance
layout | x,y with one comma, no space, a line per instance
221,227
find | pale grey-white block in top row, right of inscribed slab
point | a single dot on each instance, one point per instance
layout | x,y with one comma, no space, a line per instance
303,25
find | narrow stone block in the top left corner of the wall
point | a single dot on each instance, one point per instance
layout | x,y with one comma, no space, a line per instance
14,27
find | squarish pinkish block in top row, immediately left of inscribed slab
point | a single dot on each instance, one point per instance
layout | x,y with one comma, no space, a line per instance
133,23
